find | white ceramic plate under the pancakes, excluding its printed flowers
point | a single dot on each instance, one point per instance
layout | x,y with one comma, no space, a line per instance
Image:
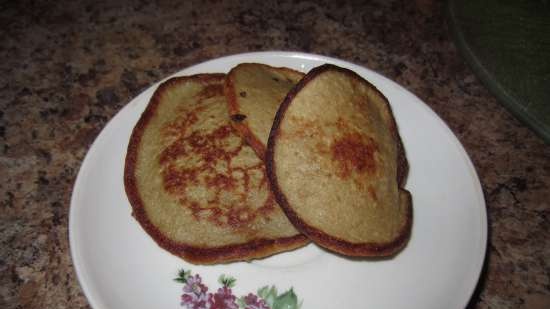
119,265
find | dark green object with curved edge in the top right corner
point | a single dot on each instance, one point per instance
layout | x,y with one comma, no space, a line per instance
507,44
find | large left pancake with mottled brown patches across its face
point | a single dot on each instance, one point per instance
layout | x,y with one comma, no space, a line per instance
195,186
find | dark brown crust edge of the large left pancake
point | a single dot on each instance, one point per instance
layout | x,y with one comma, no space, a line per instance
199,255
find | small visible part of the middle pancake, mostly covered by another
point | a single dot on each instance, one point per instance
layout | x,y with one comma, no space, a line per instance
254,92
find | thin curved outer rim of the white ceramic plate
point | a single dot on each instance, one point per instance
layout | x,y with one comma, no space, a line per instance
473,280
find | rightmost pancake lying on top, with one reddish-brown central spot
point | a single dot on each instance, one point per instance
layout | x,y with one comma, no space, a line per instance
336,165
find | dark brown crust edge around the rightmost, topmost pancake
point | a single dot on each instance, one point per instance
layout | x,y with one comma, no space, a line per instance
317,235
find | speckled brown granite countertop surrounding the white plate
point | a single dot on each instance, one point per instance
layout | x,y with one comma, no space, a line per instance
67,68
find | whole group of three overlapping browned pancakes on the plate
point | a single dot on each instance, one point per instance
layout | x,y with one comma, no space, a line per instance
238,166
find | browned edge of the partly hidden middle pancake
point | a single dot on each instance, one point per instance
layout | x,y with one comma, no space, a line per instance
234,108
